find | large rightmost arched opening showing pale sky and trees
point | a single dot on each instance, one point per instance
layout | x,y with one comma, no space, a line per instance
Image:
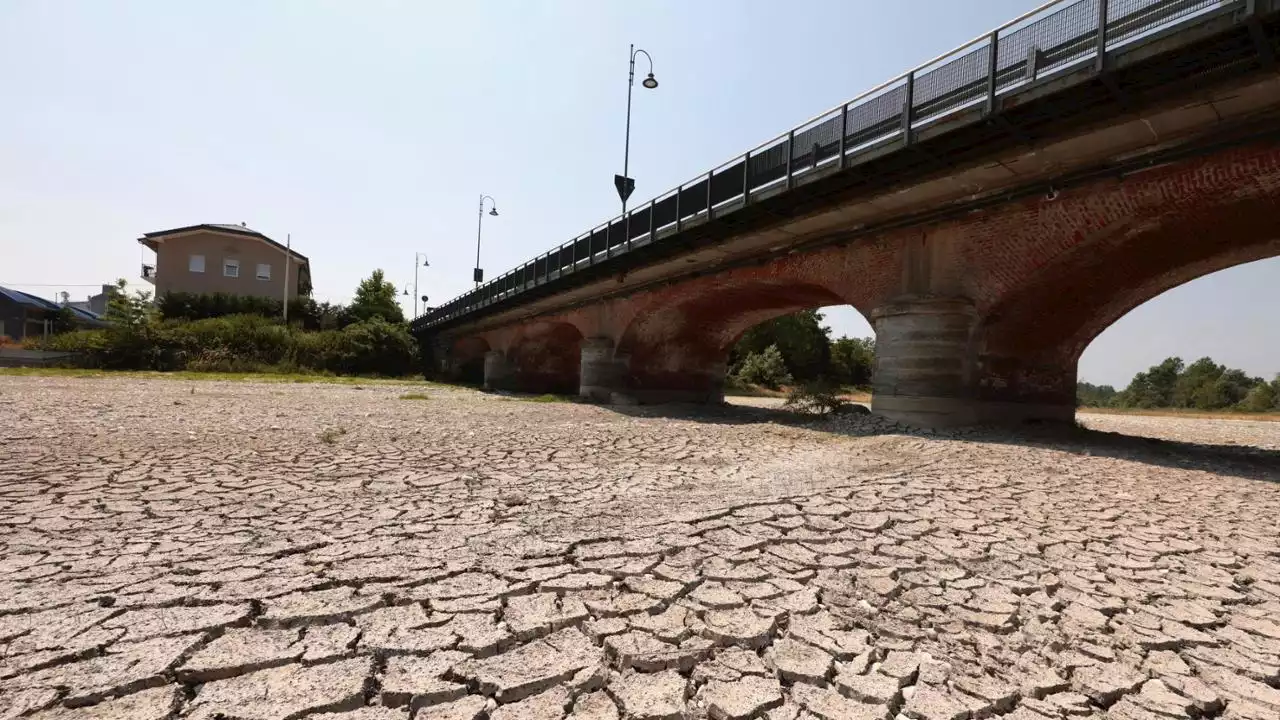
1208,345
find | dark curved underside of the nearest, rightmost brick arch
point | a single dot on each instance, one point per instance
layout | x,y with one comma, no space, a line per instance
1030,343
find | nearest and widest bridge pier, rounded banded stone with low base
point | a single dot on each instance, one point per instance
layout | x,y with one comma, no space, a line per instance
930,373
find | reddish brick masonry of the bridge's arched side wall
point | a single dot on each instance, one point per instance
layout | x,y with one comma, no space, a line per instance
1044,277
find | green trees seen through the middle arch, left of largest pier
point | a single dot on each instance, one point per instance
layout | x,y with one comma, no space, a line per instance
799,349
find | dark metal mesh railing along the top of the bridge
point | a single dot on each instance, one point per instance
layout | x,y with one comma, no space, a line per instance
1058,37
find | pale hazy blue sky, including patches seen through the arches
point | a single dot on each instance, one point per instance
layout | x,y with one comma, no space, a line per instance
368,130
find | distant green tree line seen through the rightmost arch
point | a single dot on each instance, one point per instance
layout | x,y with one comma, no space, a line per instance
1204,385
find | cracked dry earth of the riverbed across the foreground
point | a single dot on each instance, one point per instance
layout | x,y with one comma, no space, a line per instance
275,552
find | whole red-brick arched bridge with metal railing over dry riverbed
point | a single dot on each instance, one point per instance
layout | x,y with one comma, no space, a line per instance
991,212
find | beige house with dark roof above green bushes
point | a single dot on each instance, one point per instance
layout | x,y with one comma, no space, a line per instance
230,259
